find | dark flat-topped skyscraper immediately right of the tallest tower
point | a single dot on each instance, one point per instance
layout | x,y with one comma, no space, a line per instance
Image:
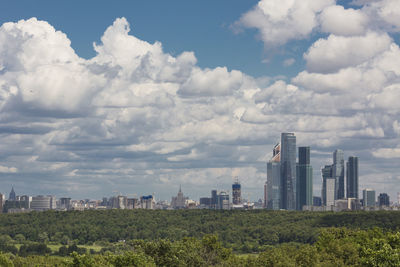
304,179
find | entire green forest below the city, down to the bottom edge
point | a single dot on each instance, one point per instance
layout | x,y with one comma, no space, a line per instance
245,238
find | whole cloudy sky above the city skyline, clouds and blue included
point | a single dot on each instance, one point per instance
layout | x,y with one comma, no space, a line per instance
140,97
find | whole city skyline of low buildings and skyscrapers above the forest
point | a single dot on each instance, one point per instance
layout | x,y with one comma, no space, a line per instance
289,186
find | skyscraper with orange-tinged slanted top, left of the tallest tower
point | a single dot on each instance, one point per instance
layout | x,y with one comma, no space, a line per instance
273,192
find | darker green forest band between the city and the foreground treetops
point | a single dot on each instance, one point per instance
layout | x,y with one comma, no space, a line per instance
243,231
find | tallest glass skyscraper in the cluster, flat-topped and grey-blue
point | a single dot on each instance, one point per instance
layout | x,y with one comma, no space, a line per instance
288,171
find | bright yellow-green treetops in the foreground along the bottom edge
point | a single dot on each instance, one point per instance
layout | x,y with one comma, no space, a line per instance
333,247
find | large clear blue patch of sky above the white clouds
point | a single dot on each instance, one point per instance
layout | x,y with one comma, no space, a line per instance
203,27
